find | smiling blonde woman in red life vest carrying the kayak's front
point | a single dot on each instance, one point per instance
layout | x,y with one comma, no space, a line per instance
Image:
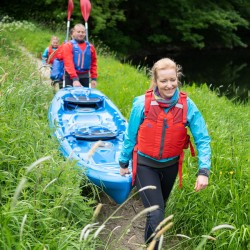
156,137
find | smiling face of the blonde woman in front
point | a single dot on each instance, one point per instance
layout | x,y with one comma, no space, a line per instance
167,82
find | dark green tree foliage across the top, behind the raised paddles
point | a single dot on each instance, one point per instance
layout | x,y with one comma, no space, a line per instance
135,27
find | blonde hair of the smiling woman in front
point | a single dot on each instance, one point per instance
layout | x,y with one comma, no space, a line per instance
164,63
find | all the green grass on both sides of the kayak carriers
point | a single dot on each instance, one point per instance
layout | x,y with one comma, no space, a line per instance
40,196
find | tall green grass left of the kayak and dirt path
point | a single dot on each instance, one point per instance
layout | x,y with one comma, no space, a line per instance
40,196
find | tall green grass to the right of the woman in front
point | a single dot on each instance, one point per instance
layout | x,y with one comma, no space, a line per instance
225,199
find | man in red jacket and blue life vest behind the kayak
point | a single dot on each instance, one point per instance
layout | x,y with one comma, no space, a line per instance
80,60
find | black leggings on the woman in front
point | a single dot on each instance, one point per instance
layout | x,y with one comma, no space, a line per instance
163,179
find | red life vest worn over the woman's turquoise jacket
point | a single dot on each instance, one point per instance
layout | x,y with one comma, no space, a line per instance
163,135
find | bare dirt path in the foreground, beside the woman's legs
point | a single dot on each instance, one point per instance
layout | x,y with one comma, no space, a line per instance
119,233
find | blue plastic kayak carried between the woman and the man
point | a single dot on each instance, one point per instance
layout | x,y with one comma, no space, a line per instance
90,129
